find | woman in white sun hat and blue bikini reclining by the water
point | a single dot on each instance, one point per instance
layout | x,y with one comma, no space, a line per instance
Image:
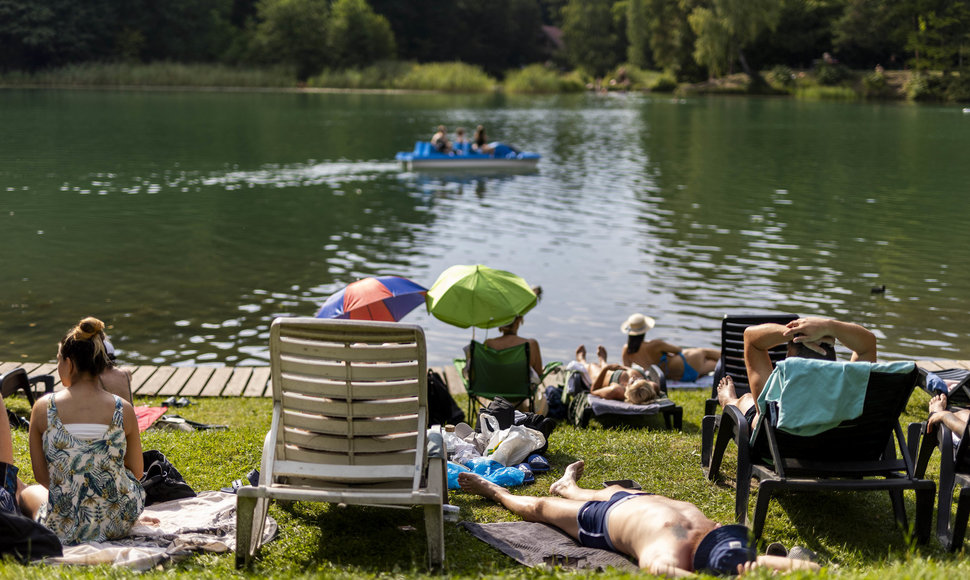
678,364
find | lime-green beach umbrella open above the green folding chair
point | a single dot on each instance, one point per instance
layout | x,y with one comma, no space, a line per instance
479,296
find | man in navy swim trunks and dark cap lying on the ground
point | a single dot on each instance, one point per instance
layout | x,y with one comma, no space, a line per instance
666,536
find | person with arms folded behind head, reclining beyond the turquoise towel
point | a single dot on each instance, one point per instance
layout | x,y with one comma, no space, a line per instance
809,337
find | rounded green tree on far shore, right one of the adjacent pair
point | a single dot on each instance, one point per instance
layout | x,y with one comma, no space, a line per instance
357,35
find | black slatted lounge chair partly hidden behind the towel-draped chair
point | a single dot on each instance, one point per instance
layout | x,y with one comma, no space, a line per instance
732,365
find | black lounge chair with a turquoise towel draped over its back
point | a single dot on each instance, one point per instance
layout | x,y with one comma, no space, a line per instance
856,455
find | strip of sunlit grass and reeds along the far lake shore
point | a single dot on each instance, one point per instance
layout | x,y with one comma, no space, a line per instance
821,83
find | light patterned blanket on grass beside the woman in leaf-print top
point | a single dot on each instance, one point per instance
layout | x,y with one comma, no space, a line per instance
206,522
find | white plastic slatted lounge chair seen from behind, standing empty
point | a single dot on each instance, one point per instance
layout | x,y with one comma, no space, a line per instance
349,425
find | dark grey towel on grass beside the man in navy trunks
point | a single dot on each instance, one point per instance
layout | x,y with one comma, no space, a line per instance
538,545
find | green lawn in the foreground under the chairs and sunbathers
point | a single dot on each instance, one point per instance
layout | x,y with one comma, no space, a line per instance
854,534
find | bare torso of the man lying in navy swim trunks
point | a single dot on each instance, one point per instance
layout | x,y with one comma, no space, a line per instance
658,530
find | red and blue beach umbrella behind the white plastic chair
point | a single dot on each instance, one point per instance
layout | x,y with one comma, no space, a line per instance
386,298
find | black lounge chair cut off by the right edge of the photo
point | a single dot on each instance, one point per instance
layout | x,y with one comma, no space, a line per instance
954,471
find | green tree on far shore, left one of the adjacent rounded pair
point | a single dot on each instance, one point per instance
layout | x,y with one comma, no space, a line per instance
293,32
